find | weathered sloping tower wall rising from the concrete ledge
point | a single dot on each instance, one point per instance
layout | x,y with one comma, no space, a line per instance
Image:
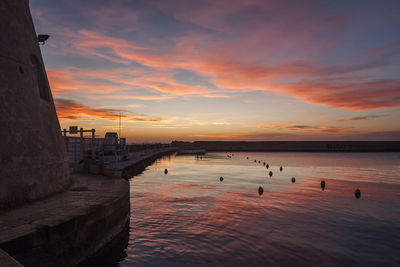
33,160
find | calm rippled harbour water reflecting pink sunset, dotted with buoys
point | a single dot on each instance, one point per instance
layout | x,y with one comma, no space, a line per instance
188,217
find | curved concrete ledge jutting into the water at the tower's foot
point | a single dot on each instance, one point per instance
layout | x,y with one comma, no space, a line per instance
67,228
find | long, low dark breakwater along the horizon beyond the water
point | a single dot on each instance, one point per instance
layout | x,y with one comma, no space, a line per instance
290,146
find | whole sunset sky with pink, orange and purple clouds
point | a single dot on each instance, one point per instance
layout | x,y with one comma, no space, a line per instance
224,70
